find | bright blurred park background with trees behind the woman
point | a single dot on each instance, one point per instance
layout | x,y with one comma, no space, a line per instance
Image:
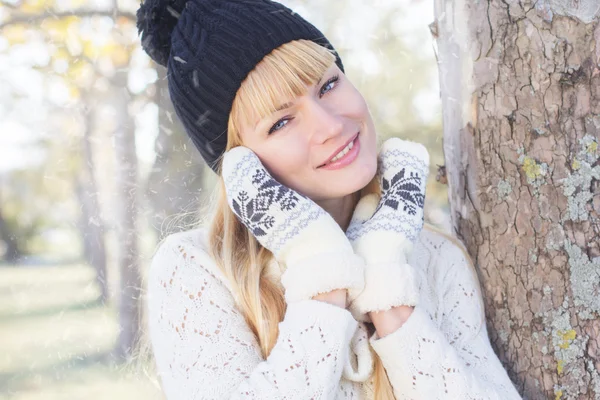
95,169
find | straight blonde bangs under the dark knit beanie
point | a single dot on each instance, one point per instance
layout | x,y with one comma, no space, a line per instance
281,76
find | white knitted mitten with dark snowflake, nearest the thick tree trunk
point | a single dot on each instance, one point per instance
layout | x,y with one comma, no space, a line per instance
383,230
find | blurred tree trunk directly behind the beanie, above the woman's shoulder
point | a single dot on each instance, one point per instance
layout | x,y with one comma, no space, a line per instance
175,182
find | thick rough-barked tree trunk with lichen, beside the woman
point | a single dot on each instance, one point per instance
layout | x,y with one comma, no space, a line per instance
520,88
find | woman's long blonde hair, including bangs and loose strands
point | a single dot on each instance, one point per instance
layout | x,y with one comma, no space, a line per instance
282,74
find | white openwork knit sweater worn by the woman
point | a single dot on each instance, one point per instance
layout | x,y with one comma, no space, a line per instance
204,348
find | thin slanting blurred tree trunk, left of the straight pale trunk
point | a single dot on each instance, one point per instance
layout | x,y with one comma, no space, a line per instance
91,225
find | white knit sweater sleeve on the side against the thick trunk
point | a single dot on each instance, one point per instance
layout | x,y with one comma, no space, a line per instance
452,359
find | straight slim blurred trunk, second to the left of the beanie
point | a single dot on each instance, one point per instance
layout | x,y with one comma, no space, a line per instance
126,223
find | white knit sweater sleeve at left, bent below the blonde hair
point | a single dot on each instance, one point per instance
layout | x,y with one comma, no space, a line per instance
204,349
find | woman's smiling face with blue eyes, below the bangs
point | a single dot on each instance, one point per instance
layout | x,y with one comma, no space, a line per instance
303,144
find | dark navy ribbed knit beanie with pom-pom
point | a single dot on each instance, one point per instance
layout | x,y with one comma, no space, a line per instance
209,47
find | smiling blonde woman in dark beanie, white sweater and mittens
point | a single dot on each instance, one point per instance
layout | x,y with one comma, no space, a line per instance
314,278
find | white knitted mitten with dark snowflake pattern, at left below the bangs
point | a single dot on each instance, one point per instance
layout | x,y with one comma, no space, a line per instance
301,235
